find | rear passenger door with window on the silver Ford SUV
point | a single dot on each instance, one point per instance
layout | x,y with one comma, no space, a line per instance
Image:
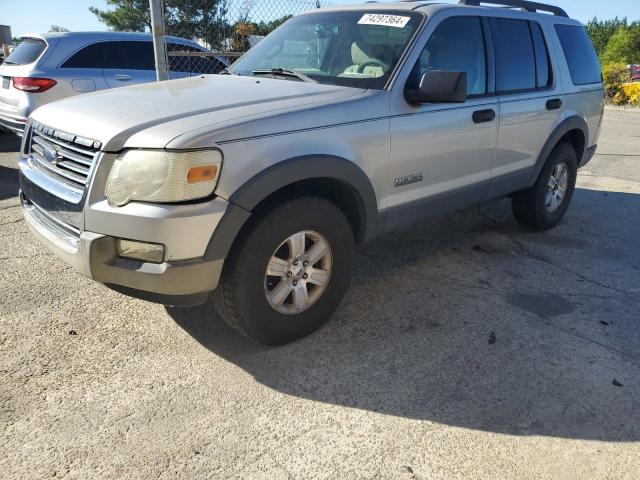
530,100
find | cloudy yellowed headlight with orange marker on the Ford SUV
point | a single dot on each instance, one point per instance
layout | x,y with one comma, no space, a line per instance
163,176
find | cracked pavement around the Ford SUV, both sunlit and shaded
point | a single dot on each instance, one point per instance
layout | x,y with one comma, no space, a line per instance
467,348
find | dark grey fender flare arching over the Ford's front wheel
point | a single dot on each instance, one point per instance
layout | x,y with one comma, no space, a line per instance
245,199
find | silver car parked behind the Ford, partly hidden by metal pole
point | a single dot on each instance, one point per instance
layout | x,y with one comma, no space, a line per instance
52,66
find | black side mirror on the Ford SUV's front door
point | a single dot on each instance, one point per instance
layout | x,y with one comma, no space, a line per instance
439,86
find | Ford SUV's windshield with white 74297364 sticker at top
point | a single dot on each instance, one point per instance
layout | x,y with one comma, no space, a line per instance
354,49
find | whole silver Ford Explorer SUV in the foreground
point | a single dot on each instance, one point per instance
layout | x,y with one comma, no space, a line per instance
341,125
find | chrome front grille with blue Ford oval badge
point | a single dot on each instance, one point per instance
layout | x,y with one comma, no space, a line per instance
65,157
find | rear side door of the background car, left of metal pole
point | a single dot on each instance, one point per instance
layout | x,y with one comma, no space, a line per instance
129,62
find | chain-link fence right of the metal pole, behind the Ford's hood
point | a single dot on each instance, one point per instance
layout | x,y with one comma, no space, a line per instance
225,28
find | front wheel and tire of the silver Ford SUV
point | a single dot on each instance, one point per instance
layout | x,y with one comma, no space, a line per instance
246,293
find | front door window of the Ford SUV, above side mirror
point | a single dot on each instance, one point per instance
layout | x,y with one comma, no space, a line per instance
457,45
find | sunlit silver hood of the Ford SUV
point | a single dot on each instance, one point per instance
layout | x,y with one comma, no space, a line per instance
117,117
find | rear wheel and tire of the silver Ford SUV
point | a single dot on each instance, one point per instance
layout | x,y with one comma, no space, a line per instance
534,206
